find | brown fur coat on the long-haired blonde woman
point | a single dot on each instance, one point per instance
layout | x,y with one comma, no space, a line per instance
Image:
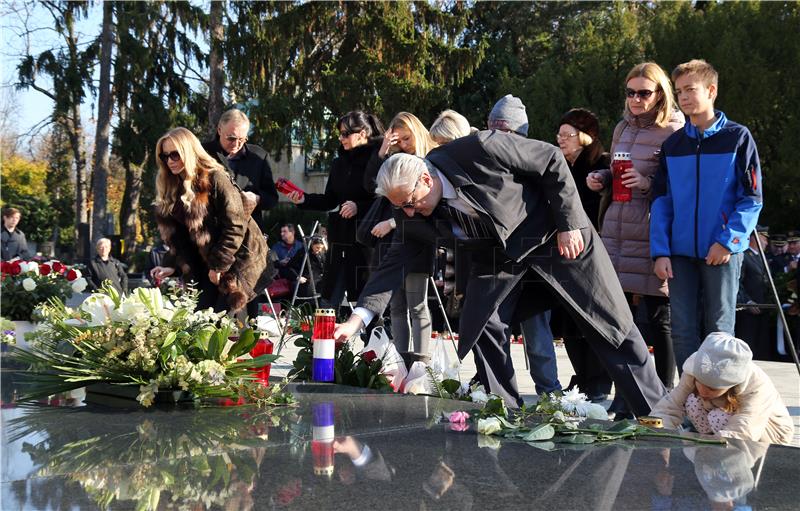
215,233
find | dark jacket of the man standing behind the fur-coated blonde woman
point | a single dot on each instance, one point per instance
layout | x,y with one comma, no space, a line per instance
251,172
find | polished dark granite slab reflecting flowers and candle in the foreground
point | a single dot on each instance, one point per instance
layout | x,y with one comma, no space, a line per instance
344,448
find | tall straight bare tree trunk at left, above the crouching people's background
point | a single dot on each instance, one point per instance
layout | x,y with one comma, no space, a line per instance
104,110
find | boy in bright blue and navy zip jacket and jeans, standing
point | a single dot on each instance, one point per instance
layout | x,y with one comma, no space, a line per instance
707,197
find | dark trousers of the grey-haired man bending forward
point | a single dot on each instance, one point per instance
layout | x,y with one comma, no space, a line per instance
629,365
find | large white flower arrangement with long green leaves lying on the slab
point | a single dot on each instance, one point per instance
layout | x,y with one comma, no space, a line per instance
143,339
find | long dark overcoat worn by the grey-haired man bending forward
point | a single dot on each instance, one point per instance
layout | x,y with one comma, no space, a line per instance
524,190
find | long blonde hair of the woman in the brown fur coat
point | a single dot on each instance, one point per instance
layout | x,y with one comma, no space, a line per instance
196,163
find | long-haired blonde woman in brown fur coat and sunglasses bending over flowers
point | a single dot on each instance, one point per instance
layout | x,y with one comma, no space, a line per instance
200,216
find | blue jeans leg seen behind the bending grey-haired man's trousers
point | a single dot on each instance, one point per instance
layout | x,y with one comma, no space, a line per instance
541,353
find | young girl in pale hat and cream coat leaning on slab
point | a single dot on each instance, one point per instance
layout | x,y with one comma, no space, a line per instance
723,393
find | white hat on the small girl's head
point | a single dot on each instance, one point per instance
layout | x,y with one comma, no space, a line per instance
721,362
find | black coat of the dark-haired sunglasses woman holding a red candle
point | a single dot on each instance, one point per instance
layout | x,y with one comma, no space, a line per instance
345,183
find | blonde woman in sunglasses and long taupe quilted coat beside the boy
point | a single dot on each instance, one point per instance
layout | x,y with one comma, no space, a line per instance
650,117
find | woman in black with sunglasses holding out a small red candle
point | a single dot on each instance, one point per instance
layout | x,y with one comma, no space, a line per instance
360,135
